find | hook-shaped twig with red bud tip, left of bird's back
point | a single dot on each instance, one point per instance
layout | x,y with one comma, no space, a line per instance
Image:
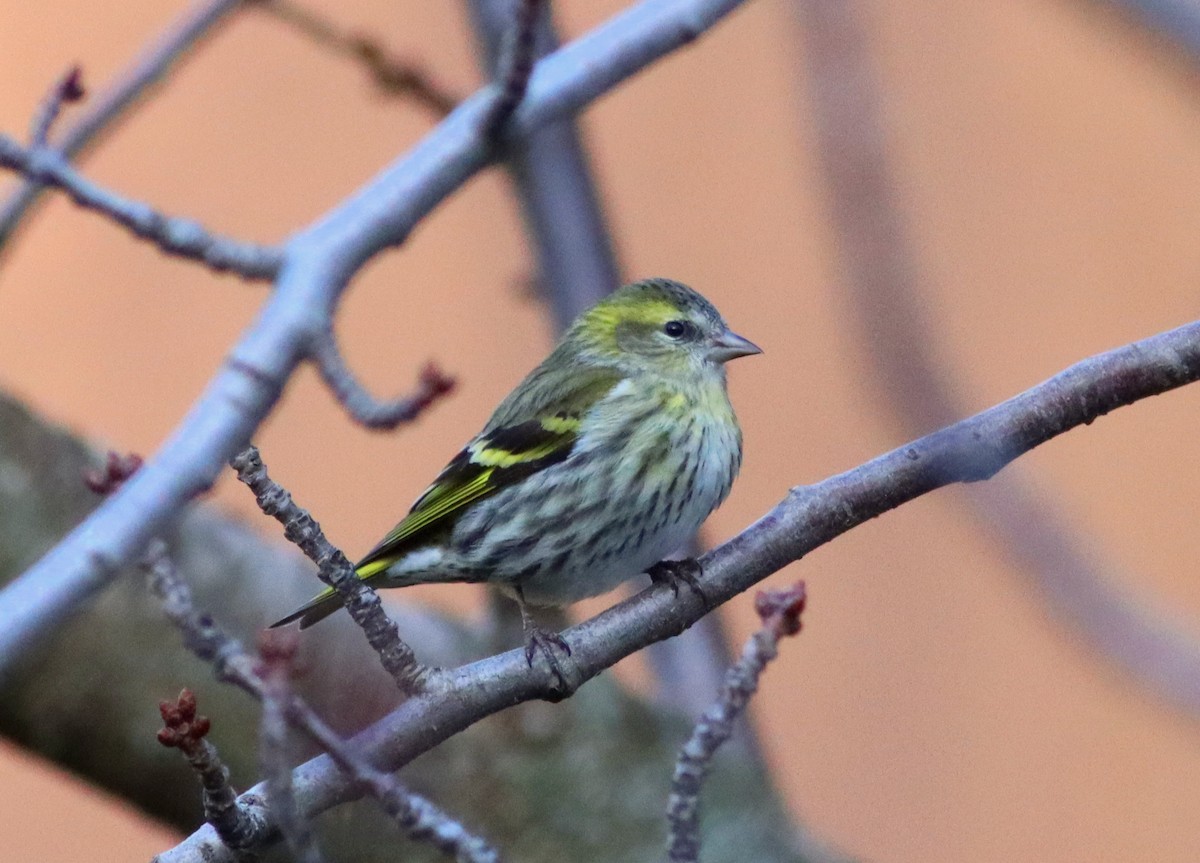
431,386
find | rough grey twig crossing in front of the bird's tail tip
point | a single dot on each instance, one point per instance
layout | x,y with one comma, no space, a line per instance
334,570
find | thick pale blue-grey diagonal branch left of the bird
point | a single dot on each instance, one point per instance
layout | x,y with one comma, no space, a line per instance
319,265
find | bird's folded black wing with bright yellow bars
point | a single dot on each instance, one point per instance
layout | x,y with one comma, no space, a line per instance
515,446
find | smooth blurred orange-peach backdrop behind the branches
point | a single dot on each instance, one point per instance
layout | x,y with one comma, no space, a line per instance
1045,158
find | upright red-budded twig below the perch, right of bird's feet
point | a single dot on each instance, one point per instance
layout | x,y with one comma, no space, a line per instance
781,614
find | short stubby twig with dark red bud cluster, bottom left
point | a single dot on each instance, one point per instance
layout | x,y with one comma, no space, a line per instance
183,729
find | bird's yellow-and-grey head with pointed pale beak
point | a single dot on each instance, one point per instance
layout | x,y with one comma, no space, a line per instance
658,326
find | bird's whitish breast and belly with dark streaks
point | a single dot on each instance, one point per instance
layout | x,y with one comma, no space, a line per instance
646,472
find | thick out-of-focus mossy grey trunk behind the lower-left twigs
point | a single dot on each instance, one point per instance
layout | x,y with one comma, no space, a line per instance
586,780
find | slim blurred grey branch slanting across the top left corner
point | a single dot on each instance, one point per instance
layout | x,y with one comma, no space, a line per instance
135,83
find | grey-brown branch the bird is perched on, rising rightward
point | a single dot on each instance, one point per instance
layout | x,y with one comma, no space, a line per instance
970,451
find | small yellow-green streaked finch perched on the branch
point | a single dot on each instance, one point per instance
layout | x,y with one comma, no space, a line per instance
607,458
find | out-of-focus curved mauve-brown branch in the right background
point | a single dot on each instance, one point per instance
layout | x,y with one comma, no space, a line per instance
883,283
